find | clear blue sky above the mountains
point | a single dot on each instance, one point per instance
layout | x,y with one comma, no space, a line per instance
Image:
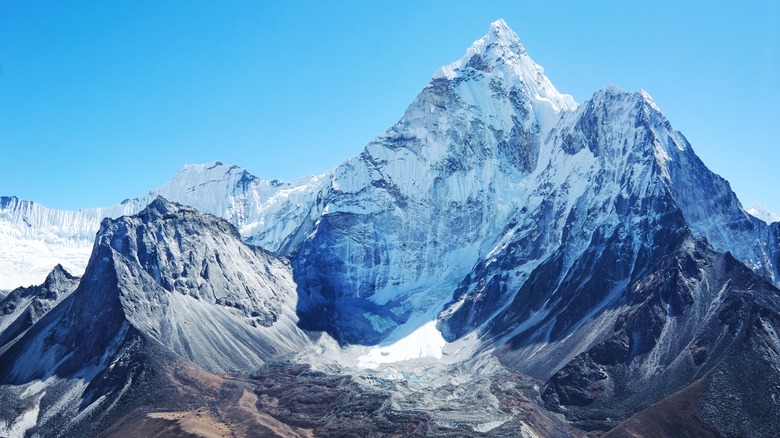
101,101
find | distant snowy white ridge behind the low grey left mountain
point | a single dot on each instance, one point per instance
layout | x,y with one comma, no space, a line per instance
35,238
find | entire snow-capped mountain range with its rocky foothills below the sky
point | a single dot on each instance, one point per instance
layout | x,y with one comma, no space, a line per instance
501,261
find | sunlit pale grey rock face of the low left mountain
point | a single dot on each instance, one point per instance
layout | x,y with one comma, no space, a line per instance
186,279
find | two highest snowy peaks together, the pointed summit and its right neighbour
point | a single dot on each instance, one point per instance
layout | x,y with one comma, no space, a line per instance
491,167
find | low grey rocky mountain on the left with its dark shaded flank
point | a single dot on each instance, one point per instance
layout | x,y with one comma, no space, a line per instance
168,285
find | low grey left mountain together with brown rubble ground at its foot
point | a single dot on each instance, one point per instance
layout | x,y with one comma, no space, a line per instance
171,300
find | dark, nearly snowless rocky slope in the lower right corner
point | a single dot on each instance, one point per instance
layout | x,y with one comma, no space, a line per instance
697,317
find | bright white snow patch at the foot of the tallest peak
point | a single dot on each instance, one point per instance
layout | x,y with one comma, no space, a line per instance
424,342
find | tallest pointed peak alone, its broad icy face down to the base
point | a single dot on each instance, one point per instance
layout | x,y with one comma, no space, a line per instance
404,221
